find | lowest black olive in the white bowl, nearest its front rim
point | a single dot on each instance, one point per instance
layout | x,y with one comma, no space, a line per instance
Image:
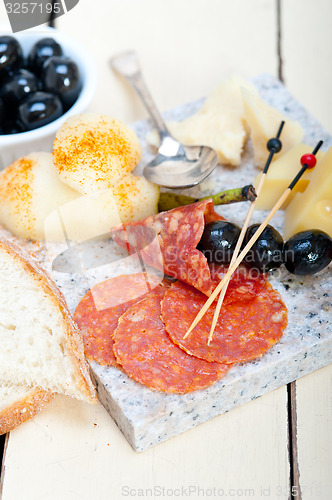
39,109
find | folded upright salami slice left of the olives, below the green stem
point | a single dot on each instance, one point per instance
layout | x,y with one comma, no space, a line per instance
168,241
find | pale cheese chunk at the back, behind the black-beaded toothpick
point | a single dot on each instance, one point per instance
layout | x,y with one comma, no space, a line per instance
264,122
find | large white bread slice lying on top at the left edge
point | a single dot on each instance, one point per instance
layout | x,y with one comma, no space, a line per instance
41,345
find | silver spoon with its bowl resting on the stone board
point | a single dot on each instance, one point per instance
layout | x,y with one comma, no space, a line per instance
175,165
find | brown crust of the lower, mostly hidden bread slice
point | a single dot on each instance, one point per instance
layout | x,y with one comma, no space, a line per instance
22,410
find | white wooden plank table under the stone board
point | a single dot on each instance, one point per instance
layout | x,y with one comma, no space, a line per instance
75,451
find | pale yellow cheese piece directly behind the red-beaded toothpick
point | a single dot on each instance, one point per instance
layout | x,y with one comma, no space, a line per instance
280,174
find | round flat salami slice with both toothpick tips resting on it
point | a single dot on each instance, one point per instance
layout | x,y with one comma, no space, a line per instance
245,330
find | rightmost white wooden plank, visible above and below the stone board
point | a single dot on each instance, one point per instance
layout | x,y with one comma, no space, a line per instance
306,48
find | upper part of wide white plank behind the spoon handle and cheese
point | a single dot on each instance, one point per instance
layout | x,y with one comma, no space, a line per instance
185,48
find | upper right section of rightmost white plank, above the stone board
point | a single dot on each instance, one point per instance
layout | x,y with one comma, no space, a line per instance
307,51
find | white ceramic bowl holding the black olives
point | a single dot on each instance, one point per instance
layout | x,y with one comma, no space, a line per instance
13,146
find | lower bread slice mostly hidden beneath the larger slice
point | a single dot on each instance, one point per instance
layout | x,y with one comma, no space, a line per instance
18,403
